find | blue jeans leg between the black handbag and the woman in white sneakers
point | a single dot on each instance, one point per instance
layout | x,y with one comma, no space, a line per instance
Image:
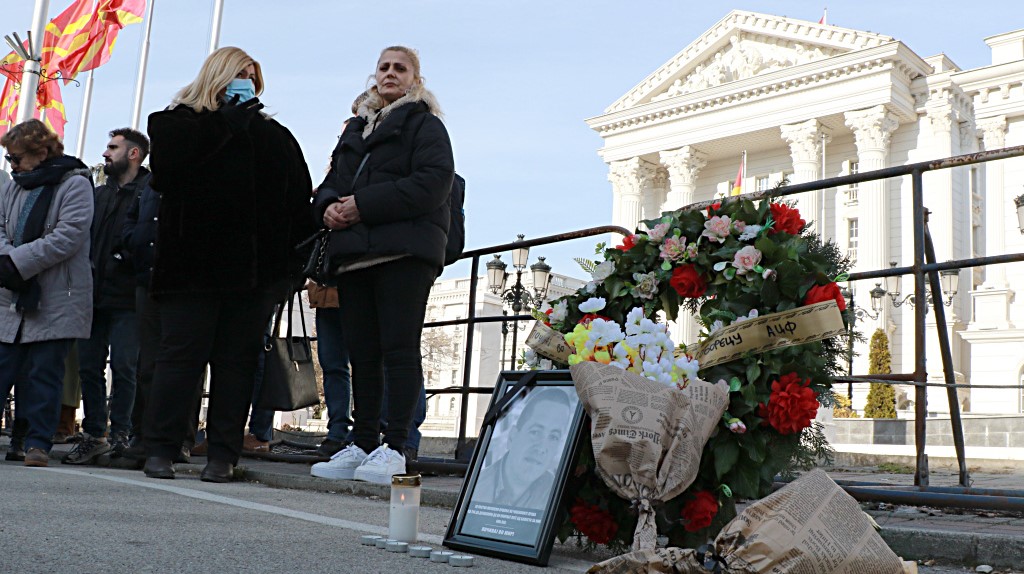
333,356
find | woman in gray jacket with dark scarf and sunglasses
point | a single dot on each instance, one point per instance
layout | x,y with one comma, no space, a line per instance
46,280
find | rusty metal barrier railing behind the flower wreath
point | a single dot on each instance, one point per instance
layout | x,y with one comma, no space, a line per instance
926,277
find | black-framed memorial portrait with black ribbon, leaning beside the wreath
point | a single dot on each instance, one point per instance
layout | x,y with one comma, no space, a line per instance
510,500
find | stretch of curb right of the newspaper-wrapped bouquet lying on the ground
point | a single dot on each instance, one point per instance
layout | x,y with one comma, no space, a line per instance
959,548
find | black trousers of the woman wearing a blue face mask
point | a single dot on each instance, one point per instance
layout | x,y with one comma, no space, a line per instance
225,331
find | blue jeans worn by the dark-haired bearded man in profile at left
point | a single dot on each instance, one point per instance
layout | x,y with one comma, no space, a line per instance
116,330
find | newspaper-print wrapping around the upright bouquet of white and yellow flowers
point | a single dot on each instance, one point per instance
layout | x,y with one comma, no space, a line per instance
648,437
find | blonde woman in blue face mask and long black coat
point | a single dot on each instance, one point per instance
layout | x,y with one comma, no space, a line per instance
235,201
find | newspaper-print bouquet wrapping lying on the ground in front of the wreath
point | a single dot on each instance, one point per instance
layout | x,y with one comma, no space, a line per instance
810,526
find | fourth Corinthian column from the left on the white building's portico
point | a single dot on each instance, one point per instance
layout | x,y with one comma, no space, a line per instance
872,130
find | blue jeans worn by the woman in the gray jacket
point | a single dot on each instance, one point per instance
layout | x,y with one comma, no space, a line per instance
38,369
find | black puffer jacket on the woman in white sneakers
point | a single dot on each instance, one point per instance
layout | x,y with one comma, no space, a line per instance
403,192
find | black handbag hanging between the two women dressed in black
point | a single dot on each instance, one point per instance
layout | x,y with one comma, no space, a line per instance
289,382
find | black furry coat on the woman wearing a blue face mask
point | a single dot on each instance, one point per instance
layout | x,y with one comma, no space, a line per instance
233,206
